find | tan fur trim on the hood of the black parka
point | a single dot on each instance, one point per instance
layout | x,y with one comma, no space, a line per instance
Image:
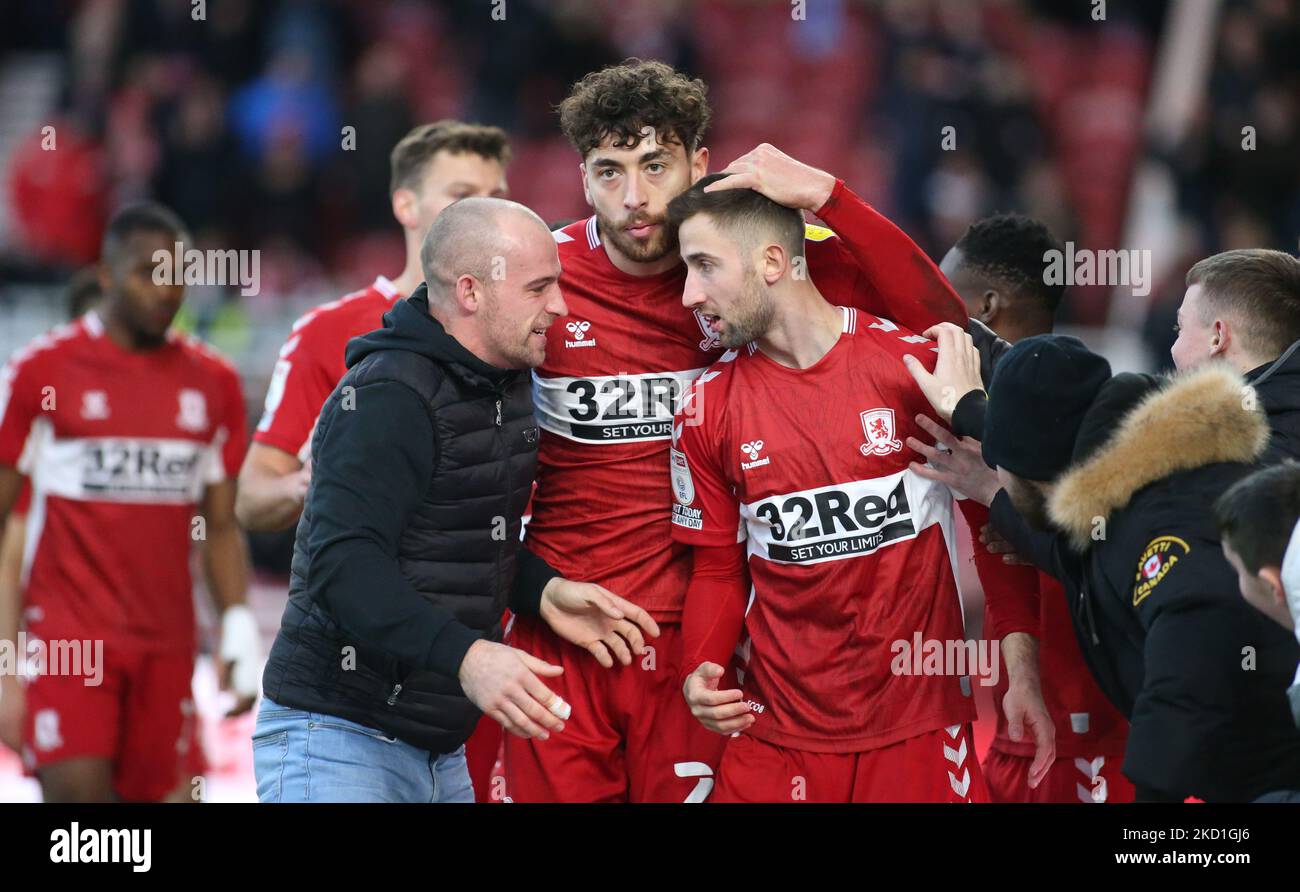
1191,421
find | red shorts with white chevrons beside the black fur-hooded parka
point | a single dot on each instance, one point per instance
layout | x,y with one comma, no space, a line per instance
1069,781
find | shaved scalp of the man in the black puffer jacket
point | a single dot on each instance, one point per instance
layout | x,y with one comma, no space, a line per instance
470,239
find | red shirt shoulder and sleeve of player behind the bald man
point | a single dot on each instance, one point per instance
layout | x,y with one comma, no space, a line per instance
311,366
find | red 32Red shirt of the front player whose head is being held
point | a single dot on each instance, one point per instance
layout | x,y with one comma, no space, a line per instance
850,551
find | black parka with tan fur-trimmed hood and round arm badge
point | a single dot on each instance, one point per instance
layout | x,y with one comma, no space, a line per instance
1199,673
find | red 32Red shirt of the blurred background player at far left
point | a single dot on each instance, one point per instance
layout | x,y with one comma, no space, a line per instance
120,448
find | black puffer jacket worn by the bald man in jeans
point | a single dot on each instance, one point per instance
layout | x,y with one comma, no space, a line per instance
406,552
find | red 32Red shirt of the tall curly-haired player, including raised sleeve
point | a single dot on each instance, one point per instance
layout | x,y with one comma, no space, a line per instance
618,365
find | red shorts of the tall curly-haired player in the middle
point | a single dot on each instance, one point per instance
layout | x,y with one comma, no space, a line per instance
630,738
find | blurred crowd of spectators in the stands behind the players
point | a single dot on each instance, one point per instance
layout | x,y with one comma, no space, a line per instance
237,120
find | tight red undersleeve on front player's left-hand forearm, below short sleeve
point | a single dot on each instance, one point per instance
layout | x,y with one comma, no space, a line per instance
714,614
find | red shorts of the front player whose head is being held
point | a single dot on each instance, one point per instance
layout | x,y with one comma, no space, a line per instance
938,767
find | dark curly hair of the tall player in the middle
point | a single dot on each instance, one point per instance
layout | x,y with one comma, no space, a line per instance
626,98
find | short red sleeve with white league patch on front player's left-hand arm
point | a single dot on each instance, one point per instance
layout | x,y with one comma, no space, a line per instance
705,509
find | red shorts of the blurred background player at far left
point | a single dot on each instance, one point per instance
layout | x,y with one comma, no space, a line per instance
141,717
